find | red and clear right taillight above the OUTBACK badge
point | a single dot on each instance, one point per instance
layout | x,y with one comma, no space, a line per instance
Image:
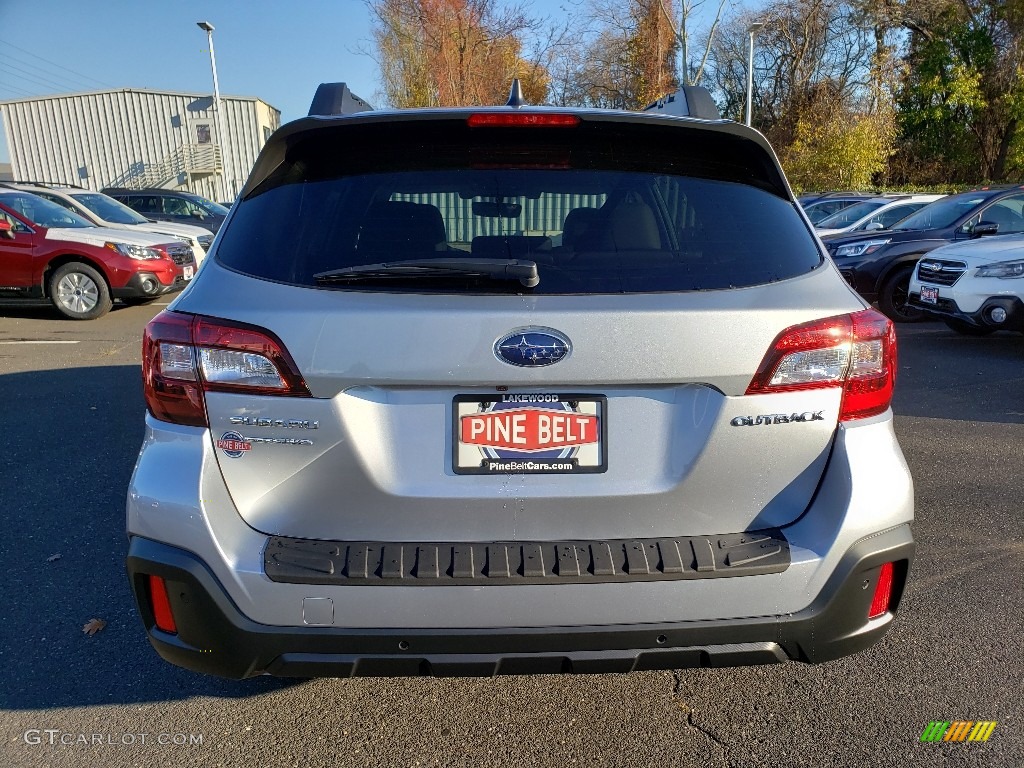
856,352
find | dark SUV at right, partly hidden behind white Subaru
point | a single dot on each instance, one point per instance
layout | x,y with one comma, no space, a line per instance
879,266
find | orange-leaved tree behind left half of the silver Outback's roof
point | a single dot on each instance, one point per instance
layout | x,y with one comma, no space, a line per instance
455,53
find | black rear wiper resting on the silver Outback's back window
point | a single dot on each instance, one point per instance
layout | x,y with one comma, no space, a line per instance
521,270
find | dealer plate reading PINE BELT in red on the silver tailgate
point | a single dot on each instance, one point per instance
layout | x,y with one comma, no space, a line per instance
529,434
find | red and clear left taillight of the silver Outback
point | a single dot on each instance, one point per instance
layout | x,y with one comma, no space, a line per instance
186,356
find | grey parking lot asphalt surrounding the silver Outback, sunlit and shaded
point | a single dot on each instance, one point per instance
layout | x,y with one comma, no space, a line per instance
73,412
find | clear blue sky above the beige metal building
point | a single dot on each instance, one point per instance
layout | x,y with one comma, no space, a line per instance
279,51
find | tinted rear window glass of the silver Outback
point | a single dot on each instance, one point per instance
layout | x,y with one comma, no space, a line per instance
600,211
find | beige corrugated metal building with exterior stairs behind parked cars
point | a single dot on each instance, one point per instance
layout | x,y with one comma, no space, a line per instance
138,139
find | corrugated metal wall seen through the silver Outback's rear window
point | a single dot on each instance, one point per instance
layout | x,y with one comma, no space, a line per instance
544,216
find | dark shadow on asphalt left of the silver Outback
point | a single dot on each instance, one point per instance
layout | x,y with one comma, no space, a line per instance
72,437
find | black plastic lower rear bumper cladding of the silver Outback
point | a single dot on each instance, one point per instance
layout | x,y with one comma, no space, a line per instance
216,637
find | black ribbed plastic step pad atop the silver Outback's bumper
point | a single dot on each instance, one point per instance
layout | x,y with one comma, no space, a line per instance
409,565
